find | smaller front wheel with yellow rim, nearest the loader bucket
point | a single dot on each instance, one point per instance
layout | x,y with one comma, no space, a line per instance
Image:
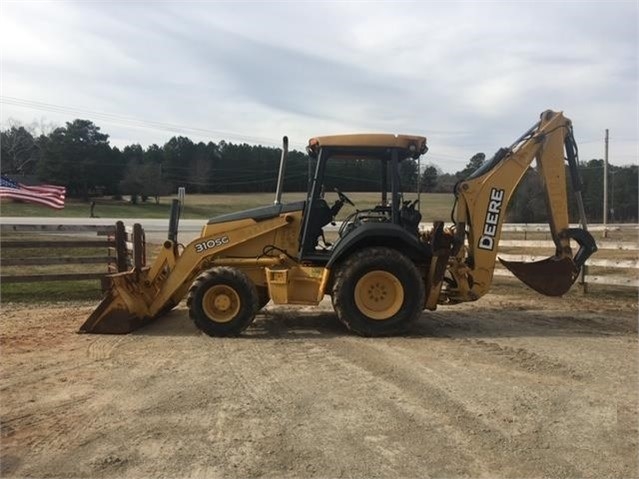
222,302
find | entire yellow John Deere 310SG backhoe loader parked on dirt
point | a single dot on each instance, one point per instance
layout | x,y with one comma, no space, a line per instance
382,271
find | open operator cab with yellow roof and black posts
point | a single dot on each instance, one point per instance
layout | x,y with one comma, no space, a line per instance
373,162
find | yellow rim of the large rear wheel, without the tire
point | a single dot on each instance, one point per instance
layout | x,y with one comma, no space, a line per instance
379,295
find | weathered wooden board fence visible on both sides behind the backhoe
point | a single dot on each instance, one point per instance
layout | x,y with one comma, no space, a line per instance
124,247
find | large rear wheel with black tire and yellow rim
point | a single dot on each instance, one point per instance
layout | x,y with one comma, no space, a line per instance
377,292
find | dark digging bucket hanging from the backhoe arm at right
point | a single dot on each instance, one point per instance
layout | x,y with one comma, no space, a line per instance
552,276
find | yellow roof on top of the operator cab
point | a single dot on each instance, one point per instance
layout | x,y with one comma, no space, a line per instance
369,144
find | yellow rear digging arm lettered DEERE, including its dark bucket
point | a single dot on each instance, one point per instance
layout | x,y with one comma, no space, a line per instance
482,201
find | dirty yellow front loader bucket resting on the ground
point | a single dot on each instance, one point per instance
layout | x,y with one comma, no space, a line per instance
121,310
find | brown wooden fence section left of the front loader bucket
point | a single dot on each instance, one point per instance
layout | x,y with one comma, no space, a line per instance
122,248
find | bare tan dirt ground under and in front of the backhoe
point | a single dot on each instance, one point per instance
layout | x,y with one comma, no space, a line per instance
510,386
